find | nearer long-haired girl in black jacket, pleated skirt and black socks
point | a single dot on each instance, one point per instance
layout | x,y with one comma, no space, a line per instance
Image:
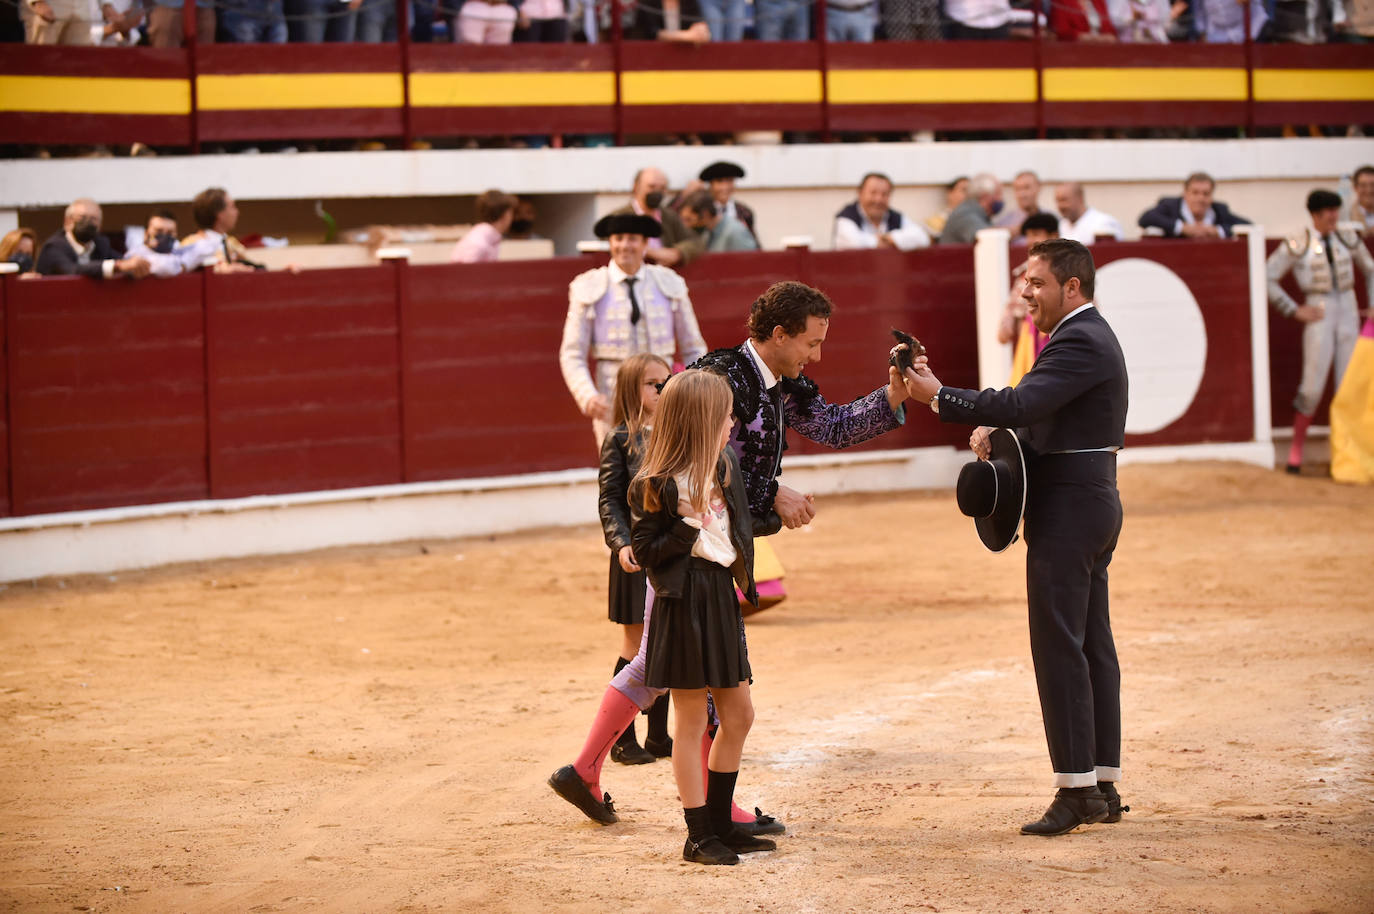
692,531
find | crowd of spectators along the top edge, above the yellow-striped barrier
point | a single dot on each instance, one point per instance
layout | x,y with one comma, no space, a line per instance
160,23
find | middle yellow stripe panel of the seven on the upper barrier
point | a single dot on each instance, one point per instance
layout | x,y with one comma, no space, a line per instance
721,87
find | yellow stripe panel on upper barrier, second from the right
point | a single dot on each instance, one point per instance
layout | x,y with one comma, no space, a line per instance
1144,85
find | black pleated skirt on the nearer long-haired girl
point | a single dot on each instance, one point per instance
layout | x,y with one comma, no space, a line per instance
697,641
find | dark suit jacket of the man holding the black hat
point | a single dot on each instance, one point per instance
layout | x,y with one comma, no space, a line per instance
1072,399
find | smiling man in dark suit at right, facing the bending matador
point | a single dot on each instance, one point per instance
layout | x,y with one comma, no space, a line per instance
1070,413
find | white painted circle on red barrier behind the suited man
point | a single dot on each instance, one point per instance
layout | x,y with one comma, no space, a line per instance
1160,326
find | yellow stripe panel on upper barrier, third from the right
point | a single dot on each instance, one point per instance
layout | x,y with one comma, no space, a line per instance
931,87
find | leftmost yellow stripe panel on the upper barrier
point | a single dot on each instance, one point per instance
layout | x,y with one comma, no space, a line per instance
94,96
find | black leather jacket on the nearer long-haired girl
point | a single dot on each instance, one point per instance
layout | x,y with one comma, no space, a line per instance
663,541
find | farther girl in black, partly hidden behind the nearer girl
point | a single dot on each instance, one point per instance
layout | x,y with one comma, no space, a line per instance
635,399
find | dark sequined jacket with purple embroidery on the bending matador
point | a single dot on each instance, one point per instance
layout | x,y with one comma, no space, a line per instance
763,417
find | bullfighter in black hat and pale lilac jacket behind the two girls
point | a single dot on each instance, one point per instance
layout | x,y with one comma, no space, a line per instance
620,310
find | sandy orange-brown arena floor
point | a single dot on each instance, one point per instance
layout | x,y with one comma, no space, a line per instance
370,731
